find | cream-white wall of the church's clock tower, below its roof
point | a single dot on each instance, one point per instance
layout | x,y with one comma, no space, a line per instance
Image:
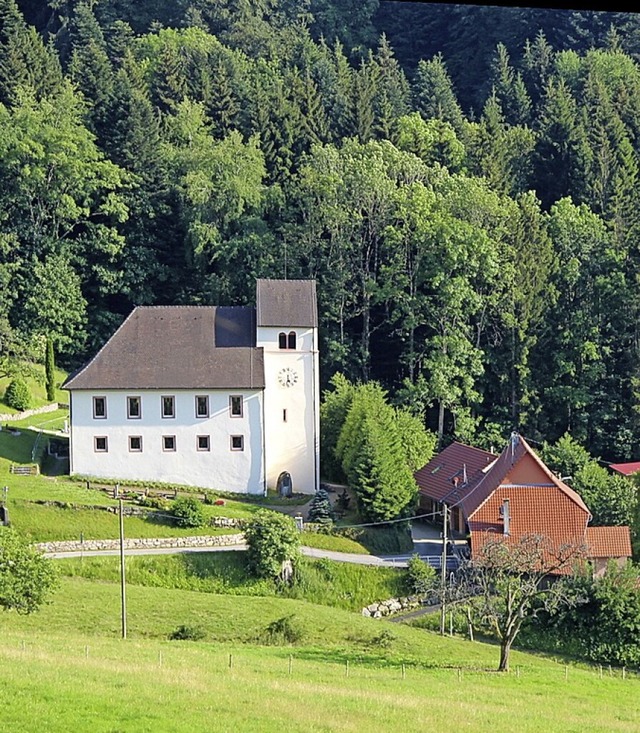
291,413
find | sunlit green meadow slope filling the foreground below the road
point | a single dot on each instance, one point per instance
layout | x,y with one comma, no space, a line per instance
65,669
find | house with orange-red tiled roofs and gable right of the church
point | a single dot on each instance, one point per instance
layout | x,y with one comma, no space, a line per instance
512,495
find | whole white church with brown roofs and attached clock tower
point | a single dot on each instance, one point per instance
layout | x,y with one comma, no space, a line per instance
219,397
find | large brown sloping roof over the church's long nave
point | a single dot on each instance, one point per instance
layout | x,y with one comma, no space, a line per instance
177,347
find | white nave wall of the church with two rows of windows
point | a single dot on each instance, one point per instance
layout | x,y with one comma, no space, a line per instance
218,468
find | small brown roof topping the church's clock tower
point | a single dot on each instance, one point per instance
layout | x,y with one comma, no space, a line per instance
282,302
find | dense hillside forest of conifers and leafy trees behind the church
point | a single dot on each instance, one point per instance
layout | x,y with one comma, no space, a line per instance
462,181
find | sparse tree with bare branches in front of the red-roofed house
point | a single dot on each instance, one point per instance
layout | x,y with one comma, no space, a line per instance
509,581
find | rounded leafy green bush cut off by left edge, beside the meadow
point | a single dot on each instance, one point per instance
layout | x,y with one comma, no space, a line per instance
27,578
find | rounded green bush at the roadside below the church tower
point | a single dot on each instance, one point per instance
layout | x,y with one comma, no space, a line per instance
272,541
